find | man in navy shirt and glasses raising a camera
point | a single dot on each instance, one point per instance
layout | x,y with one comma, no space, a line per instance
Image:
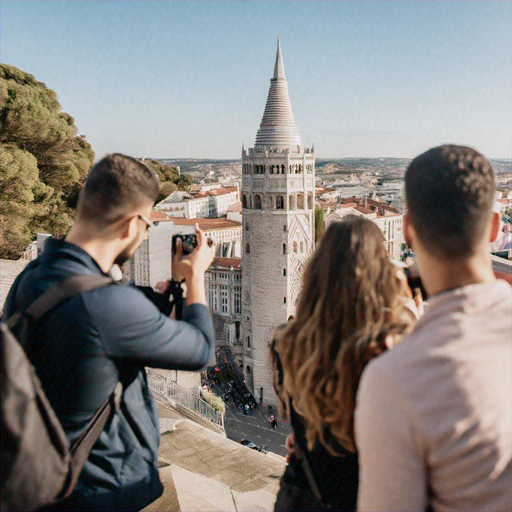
96,339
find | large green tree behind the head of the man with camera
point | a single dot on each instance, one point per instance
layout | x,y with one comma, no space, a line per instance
44,162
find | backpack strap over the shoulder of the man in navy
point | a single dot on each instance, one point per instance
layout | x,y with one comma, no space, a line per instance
50,298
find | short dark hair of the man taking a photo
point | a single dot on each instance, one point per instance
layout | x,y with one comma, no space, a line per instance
116,186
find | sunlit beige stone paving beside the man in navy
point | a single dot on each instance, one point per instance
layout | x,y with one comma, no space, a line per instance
202,471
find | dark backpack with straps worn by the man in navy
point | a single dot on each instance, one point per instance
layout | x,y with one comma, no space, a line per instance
39,466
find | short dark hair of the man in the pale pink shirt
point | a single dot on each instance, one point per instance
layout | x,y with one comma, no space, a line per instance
450,192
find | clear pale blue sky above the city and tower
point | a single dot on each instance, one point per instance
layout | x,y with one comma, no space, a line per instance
190,78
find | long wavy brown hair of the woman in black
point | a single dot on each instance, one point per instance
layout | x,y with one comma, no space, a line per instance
350,310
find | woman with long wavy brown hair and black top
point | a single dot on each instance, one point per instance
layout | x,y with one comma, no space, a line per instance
354,305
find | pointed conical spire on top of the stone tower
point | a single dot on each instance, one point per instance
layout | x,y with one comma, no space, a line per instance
277,126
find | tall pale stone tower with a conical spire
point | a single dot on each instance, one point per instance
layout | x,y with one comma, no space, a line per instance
278,199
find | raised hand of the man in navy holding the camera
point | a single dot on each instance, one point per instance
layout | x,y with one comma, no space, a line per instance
197,262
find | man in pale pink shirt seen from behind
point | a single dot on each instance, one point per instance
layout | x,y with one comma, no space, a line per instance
433,417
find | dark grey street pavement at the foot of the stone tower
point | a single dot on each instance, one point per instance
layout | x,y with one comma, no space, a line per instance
255,427
